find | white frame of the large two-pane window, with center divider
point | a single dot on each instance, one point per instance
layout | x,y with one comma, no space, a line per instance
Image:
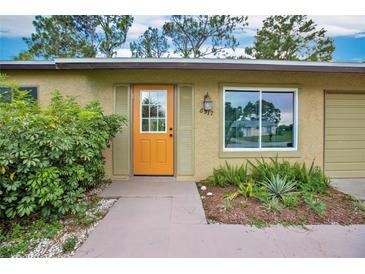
260,90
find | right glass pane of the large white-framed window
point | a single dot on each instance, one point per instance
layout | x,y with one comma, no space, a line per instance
277,119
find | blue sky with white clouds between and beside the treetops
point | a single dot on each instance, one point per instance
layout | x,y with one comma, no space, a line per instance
348,33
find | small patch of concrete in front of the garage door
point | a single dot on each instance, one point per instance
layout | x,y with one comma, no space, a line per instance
354,187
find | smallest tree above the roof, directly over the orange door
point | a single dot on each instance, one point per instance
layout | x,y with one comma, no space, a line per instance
150,44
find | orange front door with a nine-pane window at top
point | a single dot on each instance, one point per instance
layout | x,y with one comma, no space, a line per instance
153,130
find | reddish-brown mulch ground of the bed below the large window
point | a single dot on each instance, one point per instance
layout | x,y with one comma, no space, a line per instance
339,210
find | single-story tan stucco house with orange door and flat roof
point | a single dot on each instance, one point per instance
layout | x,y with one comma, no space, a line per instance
187,116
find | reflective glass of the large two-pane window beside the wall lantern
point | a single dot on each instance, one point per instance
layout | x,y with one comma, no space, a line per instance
242,119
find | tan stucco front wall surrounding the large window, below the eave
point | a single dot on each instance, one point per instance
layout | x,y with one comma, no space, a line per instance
98,84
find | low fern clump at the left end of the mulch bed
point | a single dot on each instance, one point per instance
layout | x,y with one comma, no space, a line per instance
230,175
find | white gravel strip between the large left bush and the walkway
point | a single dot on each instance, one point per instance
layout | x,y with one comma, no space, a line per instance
48,248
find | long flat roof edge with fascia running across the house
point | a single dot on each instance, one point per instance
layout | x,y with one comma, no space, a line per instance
184,63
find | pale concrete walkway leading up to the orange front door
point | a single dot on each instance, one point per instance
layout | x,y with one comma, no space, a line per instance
157,217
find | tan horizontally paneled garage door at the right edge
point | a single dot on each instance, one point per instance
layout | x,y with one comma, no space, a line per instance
345,134
